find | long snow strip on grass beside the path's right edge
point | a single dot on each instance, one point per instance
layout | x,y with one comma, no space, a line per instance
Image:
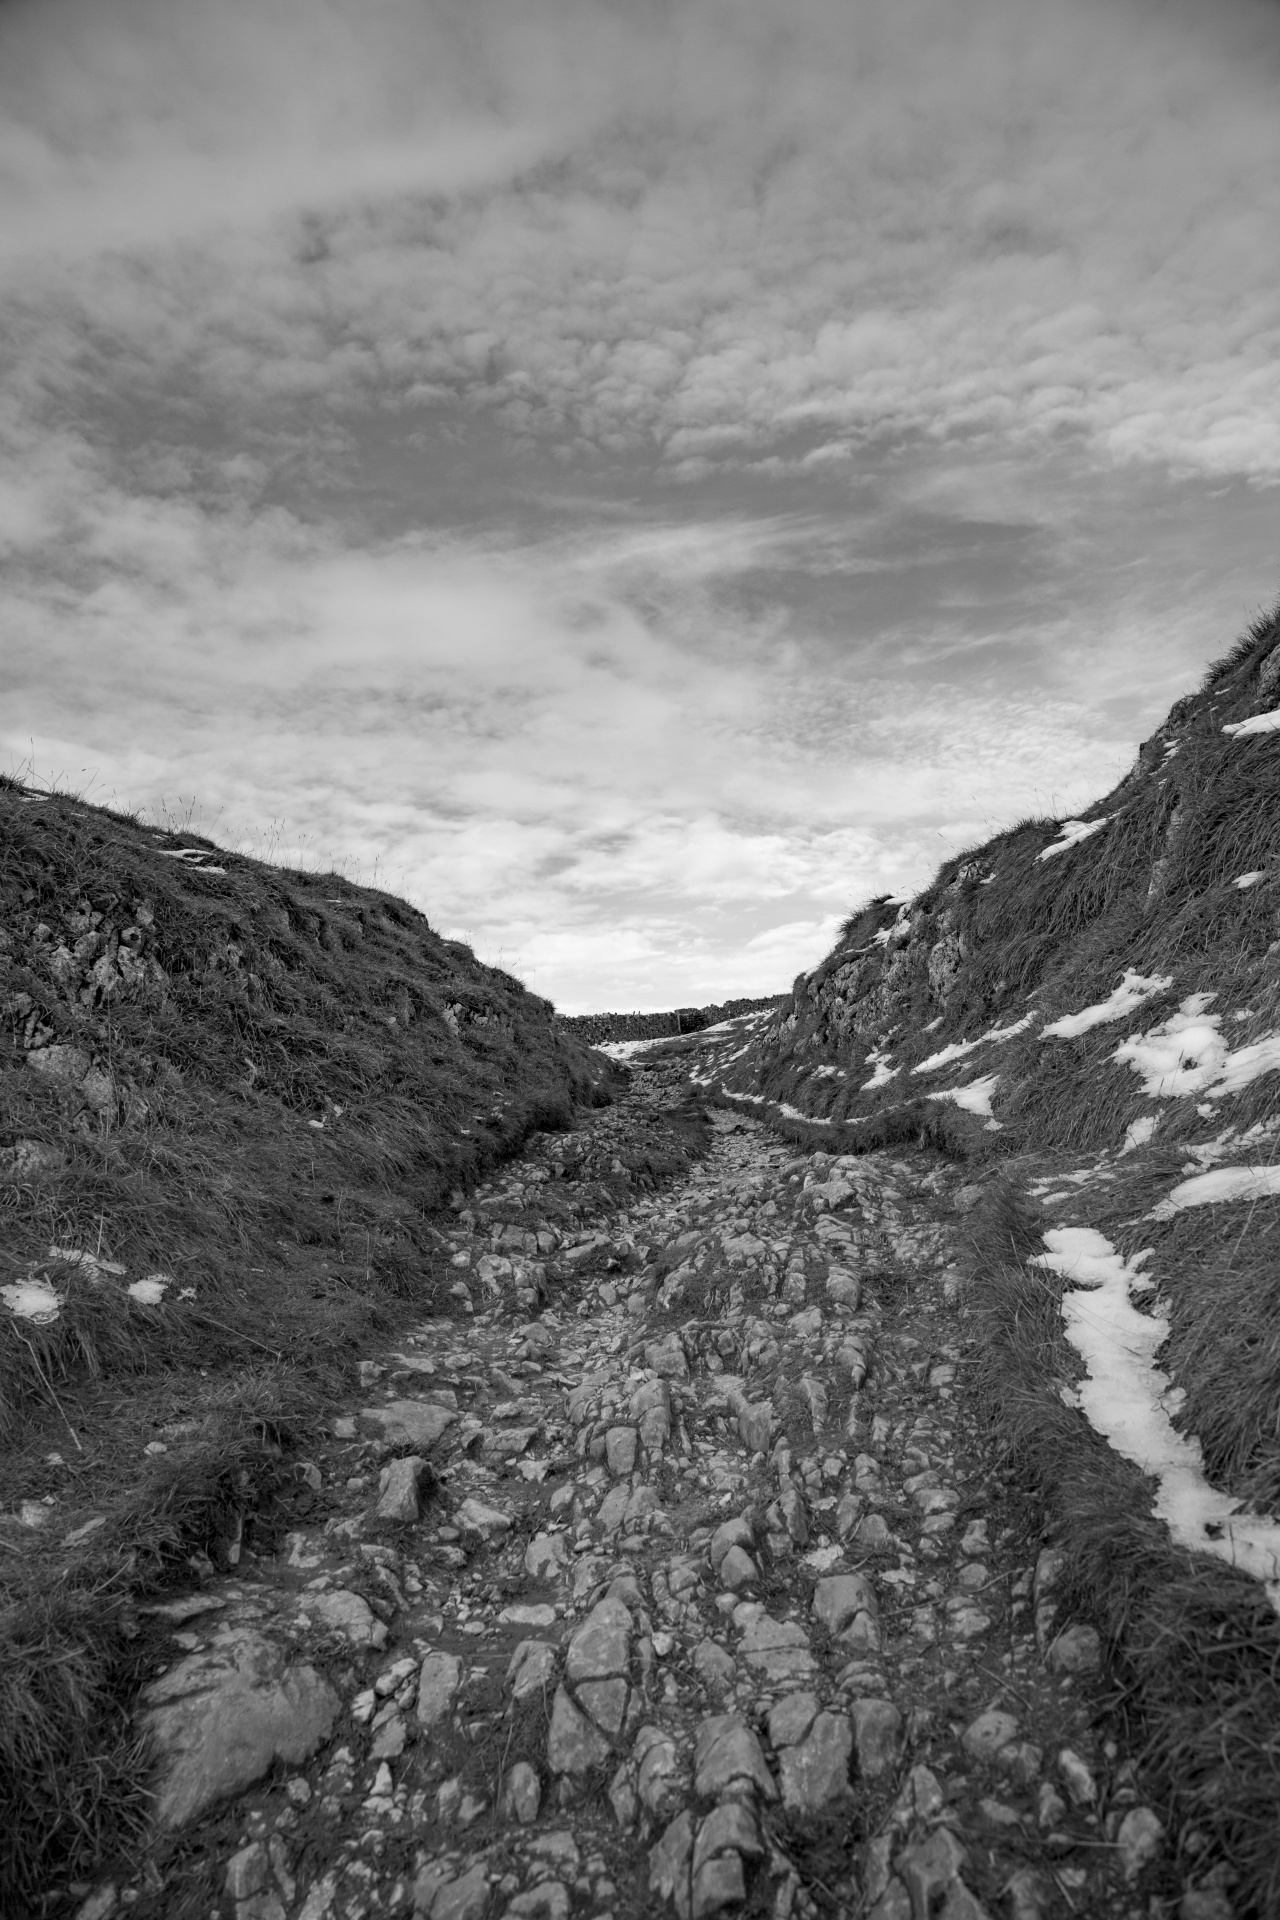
1129,1403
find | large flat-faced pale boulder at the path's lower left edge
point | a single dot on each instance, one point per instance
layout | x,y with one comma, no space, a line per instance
225,1716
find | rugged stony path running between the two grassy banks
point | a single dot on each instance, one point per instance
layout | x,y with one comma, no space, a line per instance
671,1575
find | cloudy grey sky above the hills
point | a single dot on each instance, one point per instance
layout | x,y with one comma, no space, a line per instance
636,477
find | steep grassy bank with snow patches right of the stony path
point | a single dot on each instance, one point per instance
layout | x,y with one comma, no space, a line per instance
1089,1013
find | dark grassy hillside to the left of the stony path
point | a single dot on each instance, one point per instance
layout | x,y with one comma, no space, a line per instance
231,1101
